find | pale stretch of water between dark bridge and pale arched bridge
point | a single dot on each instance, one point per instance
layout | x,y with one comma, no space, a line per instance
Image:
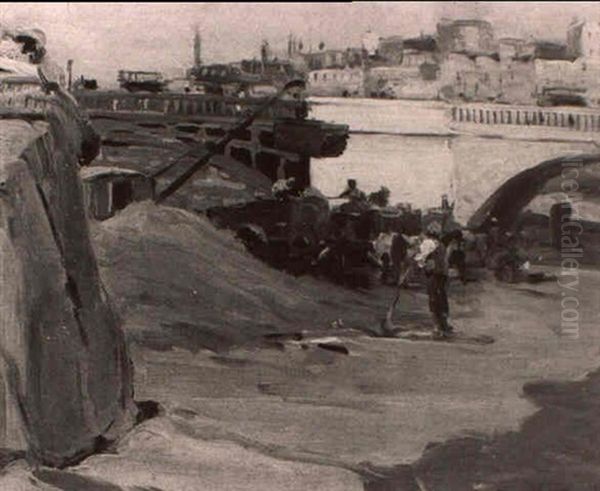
402,145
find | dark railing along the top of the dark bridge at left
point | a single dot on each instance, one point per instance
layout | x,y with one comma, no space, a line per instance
181,104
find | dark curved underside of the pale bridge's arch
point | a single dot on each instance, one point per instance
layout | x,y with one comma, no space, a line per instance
518,191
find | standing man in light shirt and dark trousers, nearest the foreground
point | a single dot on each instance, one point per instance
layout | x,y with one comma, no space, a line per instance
432,259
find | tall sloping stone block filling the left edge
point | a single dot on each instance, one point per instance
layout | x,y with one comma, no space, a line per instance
65,377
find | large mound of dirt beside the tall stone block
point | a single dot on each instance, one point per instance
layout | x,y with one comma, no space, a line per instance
178,281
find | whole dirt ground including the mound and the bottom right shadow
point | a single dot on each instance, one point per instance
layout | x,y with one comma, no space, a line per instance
238,412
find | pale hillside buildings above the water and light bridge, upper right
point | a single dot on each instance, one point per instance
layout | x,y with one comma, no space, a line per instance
462,60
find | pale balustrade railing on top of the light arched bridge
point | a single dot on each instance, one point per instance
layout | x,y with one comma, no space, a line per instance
578,120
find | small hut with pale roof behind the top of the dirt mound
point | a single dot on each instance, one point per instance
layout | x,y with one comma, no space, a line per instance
110,189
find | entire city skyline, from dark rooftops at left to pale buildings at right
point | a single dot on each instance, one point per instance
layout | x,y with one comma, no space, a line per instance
462,61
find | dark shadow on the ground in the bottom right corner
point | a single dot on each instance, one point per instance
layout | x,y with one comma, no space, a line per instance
557,448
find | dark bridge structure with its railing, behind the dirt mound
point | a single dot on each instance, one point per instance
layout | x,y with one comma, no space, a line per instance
279,143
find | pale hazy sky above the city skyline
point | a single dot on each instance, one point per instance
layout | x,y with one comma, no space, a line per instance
101,38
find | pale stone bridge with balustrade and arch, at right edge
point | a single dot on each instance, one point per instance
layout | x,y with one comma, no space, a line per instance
504,156
